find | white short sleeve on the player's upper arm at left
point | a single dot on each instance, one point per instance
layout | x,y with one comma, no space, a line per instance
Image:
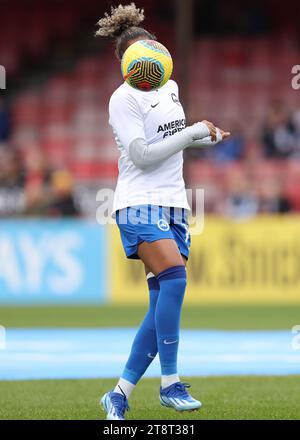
126,119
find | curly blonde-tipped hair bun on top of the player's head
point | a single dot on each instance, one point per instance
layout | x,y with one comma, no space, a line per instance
119,20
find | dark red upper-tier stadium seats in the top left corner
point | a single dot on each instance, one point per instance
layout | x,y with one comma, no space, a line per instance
27,28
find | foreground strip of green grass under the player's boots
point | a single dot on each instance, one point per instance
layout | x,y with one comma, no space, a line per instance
245,397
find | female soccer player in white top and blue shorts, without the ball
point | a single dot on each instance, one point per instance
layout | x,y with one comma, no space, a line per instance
151,211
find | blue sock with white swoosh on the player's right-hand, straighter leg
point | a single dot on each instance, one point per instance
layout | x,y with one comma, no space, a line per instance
172,284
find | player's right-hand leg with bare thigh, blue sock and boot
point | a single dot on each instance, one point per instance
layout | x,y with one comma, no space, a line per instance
164,259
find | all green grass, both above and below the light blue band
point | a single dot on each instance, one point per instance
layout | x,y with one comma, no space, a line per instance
232,397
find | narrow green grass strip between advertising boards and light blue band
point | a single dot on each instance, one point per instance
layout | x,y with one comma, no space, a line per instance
227,317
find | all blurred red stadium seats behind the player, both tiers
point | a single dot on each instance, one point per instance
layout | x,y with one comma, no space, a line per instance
67,116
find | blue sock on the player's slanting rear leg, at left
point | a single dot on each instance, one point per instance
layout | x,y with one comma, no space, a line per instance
144,347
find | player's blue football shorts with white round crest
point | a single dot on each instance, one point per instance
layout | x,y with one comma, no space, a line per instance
151,223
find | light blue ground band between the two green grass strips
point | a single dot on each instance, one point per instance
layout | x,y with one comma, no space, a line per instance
88,353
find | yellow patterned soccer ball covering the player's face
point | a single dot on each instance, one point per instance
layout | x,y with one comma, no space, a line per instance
146,65
